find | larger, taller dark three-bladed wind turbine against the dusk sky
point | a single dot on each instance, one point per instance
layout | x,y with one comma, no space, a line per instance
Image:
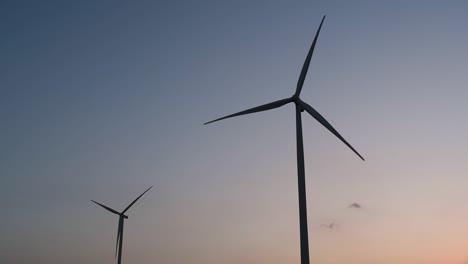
300,107
